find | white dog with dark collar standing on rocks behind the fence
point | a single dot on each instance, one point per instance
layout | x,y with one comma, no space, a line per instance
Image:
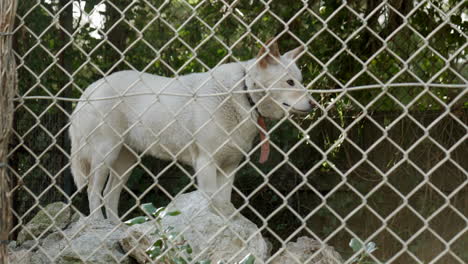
179,119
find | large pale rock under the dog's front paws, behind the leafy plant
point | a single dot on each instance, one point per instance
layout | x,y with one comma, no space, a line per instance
205,231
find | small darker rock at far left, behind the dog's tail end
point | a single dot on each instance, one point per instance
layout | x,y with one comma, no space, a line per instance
53,216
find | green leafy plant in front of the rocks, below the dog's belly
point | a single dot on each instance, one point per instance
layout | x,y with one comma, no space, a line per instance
170,247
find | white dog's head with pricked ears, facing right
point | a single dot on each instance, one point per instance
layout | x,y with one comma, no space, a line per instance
279,72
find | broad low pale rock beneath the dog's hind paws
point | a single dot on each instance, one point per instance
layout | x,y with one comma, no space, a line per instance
86,241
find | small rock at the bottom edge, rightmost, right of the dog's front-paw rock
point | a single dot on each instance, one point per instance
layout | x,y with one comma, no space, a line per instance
302,250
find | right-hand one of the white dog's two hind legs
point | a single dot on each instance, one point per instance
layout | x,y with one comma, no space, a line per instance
121,171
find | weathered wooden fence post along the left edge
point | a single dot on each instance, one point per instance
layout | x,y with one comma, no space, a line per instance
8,84
